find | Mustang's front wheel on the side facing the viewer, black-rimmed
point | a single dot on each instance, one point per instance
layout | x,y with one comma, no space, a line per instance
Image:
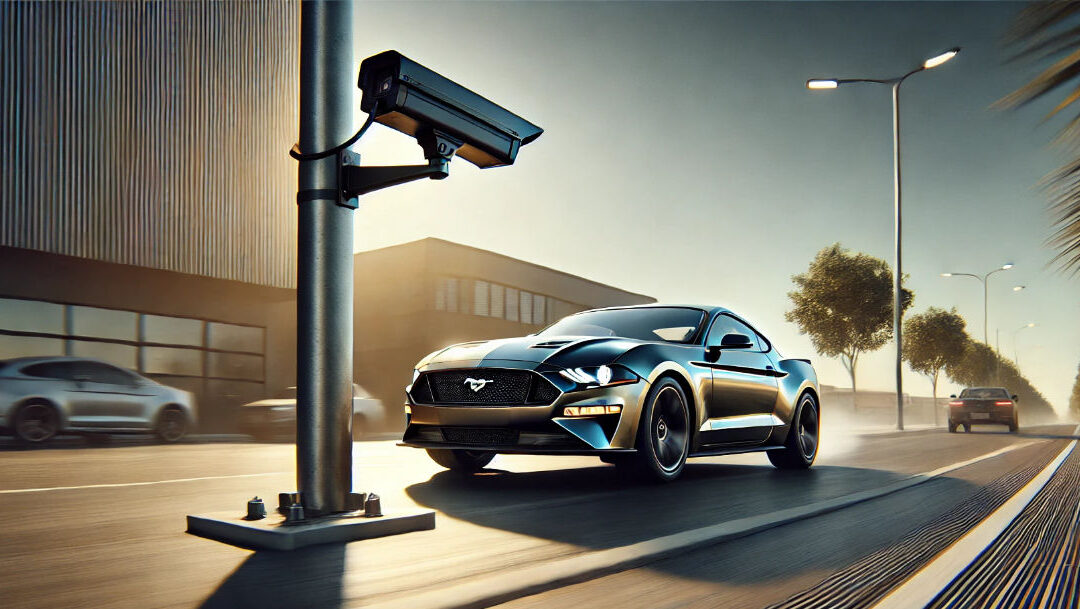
664,436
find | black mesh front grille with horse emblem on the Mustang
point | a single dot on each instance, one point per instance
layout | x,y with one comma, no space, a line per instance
484,387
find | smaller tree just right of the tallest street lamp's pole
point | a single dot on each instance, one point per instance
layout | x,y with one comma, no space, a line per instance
931,341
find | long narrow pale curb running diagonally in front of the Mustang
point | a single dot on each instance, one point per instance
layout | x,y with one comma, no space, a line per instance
510,585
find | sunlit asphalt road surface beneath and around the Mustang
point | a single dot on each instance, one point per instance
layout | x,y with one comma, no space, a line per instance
103,526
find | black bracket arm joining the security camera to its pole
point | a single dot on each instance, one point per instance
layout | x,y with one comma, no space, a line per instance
356,181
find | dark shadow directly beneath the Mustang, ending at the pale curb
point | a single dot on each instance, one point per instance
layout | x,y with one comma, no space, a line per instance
595,508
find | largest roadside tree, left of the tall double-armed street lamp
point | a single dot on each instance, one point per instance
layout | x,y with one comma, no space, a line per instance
844,303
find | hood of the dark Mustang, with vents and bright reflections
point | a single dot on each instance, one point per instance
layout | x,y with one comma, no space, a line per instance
558,351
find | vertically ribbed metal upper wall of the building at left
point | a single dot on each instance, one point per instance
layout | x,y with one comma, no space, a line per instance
153,134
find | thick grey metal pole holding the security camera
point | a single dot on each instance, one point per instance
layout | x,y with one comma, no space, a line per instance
325,263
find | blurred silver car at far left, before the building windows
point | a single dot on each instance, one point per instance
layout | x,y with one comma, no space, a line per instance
44,397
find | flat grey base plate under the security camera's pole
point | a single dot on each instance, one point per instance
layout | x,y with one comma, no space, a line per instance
273,534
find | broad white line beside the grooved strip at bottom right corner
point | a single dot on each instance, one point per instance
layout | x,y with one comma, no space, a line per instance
925,586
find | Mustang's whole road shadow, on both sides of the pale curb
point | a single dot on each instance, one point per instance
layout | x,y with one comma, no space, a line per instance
590,508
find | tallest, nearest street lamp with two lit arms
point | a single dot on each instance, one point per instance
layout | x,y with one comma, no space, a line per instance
822,85
